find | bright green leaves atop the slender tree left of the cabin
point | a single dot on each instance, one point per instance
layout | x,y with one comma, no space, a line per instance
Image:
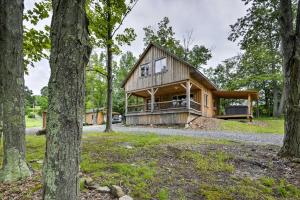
108,16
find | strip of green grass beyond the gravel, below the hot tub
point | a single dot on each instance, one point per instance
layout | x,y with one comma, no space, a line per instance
261,125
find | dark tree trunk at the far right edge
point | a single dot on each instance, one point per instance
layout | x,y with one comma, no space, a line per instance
291,55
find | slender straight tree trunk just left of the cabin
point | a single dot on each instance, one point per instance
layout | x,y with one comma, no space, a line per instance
109,71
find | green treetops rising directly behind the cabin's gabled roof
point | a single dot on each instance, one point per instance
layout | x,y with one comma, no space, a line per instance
165,37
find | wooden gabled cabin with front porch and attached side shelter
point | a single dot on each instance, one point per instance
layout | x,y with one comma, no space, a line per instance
171,91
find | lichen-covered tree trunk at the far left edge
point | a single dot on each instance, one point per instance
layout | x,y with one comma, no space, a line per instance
14,166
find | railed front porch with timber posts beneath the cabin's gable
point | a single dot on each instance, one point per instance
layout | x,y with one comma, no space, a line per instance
164,104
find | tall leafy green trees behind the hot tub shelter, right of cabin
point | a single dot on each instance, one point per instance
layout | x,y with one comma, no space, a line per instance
259,67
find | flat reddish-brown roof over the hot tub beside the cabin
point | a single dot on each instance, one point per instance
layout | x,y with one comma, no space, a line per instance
236,94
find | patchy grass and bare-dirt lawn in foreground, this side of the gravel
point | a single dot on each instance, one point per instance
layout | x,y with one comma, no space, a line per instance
172,167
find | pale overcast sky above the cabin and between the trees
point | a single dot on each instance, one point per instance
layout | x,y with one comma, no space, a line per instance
209,20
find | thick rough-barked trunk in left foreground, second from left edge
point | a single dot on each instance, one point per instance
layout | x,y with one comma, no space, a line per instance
69,57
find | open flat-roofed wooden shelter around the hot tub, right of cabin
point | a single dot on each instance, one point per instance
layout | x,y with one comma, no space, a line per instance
243,109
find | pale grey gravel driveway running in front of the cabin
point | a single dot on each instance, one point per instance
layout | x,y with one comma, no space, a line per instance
267,138
